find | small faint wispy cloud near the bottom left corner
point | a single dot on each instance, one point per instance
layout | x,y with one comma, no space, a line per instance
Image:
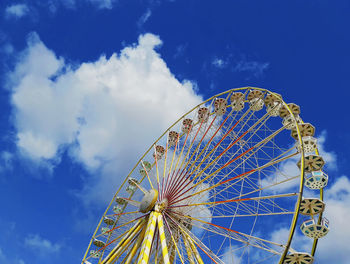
43,246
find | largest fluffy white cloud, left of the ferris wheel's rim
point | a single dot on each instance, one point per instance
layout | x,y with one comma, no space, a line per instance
105,112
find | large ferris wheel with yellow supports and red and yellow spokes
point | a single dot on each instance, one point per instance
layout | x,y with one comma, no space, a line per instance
217,187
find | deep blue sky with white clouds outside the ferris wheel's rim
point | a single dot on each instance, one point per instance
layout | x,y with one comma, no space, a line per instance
57,154
